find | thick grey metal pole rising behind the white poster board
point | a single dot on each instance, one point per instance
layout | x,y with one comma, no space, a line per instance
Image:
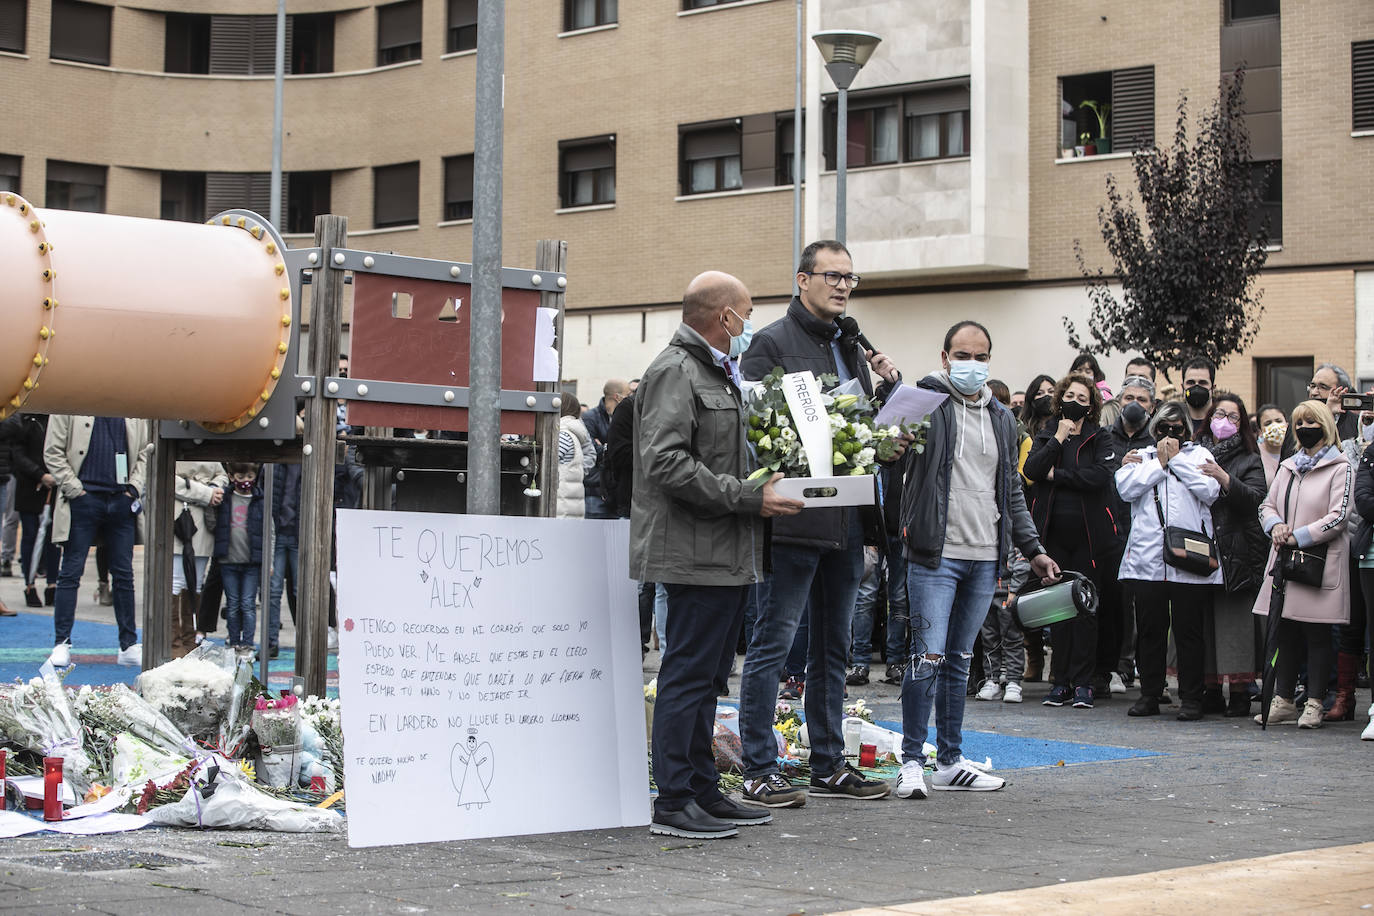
484,414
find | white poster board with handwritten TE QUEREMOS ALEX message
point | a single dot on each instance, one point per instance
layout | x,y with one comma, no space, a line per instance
490,676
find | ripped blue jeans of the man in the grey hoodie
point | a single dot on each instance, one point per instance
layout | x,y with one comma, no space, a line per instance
949,606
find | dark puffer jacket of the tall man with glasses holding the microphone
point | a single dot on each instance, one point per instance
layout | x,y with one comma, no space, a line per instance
799,343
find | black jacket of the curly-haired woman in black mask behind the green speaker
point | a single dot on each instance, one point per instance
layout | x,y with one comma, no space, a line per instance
1082,463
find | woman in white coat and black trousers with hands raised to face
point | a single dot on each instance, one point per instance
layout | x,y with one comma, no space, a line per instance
1166,487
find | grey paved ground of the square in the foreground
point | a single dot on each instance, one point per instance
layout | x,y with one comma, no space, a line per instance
1217,792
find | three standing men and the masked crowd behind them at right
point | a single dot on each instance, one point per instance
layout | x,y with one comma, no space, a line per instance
1193,518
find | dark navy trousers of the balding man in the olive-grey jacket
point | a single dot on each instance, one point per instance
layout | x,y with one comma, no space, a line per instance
703,627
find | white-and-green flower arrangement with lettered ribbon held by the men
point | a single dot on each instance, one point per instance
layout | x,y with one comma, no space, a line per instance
802,431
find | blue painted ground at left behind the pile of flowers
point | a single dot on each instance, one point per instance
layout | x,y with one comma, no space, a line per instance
25,642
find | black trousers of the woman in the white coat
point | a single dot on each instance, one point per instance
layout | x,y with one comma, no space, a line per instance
1160,606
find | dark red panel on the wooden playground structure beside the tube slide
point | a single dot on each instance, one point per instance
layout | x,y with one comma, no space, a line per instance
427,351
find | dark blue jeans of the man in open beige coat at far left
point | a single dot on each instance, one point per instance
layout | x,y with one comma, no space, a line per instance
109,516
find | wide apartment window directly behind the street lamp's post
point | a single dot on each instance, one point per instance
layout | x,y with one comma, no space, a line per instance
906,124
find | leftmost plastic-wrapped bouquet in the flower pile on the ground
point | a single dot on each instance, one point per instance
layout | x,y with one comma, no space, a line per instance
38,716
